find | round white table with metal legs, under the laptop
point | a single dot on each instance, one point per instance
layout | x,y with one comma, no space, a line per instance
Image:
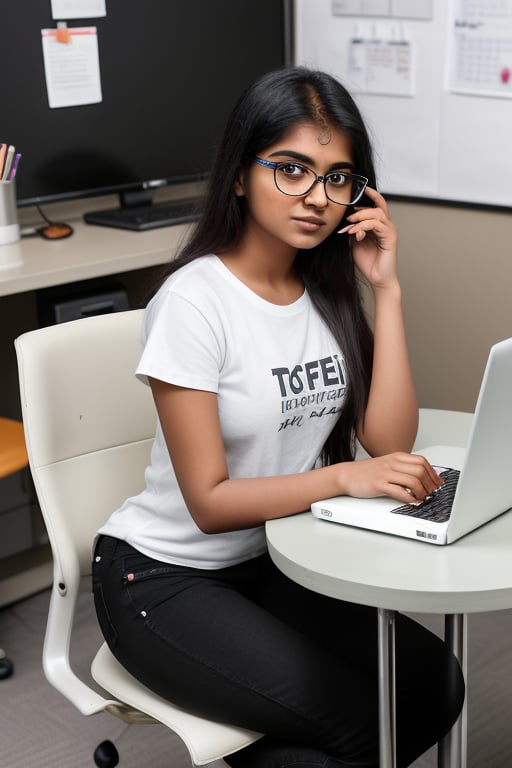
393,574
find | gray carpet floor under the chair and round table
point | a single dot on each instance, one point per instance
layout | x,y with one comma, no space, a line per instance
38,729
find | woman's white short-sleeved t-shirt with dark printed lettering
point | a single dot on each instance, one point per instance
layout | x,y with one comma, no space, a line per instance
280,381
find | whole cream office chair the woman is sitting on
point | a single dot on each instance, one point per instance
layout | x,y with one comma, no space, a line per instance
89,426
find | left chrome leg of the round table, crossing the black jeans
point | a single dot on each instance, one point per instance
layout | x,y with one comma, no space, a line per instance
387,690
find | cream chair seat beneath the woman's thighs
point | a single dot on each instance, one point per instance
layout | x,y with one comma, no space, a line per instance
206,741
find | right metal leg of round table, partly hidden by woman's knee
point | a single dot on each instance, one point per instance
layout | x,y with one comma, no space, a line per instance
452,750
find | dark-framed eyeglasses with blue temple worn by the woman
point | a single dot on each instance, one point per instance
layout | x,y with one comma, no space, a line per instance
295,179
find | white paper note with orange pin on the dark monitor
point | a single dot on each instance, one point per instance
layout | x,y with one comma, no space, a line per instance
72,70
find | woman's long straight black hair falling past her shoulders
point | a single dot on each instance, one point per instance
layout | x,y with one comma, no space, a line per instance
265,111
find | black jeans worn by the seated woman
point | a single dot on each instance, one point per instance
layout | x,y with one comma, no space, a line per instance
247,646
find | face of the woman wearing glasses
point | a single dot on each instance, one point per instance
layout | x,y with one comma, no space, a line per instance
297,221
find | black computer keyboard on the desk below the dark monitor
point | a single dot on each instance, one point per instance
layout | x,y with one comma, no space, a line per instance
147,216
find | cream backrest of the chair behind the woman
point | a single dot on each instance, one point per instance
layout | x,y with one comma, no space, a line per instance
89,426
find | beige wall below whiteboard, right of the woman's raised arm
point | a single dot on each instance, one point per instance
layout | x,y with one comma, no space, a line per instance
455,265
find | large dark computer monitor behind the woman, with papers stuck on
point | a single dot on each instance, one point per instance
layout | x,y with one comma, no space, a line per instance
171,70
